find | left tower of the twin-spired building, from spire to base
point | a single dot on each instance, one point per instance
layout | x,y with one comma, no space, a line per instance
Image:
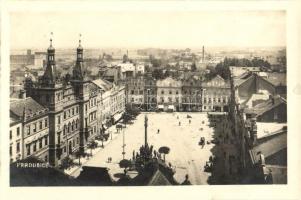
49,92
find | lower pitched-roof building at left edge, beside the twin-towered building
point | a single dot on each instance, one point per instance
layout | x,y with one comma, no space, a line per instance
29,135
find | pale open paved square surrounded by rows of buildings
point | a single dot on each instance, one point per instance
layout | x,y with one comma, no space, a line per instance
185,155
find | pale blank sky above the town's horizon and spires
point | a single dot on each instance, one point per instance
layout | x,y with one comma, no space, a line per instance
140,29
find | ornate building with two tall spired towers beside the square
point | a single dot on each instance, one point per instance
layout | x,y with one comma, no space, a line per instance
69,105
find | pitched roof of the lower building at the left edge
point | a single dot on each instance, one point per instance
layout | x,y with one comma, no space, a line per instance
27,105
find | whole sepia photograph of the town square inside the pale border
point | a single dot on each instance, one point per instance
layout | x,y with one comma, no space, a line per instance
150,98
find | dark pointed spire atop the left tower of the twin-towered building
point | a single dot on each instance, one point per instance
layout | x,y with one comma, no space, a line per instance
49,74
